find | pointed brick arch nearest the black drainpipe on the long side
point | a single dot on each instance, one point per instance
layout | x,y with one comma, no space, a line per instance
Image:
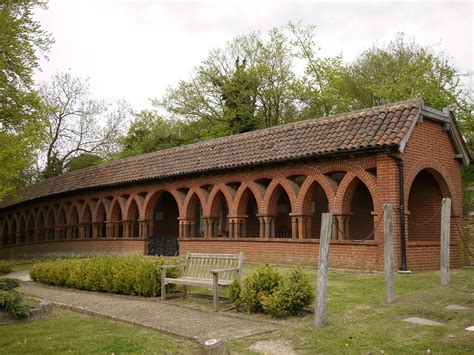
344,190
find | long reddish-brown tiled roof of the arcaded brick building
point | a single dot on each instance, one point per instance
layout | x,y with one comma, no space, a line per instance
360,130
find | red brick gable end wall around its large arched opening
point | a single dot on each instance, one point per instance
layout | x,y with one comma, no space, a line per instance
430,148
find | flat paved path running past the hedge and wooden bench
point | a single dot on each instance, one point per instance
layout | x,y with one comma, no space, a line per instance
171,319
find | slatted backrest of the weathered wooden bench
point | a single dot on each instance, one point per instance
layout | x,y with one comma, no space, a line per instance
199,265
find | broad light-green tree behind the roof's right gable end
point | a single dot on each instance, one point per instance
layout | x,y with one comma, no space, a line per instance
404,69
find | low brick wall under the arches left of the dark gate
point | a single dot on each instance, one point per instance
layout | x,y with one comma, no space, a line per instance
76,247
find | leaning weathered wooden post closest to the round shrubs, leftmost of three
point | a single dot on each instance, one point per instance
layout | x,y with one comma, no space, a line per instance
322,278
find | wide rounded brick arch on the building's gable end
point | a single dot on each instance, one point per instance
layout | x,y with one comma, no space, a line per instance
439,173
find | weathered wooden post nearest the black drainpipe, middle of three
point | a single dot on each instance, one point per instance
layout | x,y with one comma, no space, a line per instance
388,252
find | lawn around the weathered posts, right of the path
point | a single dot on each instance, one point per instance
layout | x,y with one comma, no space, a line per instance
358,321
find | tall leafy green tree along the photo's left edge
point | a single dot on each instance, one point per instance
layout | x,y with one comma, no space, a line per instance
22,40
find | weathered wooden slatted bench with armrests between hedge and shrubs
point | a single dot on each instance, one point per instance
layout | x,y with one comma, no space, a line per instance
207,270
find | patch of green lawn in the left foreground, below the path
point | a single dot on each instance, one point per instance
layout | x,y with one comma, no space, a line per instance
69,332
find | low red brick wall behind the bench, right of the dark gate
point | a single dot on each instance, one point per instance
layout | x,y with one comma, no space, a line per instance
346,255
